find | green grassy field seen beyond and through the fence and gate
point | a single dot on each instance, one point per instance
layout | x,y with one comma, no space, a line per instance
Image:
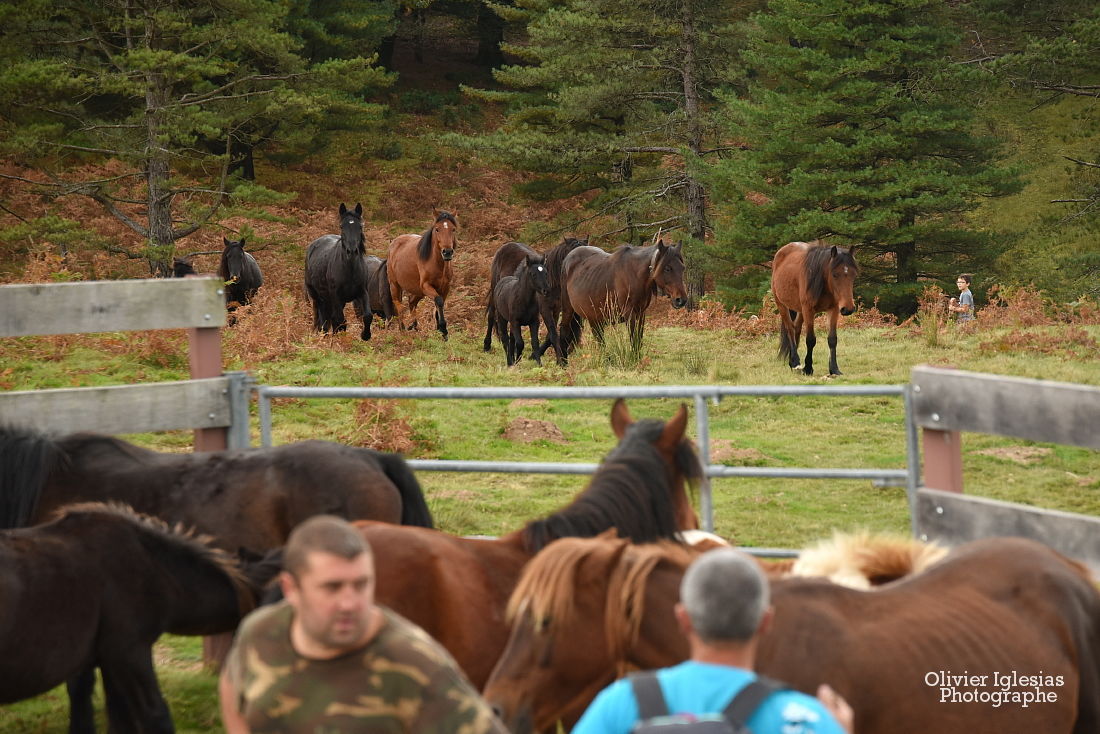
708,348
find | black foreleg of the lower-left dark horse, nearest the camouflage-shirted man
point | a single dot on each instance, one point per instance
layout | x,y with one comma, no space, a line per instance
134,698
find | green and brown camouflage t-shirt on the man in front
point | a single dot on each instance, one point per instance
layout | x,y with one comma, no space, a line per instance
403,681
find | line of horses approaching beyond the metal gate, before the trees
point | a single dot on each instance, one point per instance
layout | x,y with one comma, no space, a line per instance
555,291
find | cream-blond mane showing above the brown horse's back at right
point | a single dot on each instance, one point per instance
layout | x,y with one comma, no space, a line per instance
864,560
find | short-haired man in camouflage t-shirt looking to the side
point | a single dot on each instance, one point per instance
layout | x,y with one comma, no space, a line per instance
328,660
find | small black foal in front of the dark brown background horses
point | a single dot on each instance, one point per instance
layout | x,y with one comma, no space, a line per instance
515,303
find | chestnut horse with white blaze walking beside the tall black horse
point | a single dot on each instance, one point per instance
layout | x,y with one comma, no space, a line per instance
421,266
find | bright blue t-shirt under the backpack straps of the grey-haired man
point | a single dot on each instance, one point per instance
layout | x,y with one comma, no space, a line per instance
702,688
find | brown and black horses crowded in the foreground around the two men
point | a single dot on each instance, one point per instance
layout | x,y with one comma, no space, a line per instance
108,546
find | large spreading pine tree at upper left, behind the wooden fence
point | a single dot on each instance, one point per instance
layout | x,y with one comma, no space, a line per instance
170,90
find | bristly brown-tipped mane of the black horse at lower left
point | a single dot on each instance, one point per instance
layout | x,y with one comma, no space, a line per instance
188,541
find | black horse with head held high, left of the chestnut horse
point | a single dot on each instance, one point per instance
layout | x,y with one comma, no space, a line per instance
336,273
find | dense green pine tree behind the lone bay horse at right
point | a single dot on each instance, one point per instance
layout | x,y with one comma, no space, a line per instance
860,128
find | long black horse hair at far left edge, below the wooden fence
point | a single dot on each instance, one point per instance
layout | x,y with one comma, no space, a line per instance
27,459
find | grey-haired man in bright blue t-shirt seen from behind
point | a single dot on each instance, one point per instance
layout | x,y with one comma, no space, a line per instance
723,610
